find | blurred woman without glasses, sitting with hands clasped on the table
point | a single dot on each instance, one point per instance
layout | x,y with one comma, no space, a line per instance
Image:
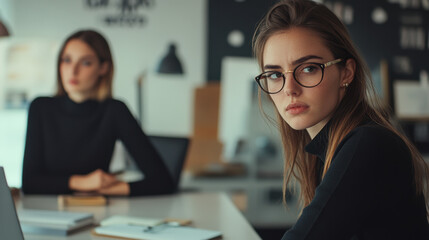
71,137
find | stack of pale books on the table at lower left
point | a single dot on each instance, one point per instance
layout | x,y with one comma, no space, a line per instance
59,223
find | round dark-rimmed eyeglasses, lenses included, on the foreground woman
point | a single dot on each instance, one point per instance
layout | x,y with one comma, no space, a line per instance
306,74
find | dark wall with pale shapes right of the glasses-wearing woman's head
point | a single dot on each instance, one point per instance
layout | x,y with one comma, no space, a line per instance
386,41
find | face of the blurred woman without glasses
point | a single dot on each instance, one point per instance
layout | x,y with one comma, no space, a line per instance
80,70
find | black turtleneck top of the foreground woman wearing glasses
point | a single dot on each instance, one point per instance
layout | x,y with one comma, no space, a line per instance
368,193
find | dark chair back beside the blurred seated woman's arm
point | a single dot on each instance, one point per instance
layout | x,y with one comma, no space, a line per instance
173,151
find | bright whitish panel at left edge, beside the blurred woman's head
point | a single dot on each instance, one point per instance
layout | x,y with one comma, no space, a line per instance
29,71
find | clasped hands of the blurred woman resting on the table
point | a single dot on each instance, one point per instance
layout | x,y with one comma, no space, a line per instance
93,181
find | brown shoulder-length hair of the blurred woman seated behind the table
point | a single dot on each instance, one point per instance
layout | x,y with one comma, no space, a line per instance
100,46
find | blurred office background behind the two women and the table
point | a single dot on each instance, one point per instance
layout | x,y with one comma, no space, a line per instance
213,100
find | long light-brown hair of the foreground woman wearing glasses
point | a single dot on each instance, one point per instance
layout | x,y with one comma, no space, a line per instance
359,102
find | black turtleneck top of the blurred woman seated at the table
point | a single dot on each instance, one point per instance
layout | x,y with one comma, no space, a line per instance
66,138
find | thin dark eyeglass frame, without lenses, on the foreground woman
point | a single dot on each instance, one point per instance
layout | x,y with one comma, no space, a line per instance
321,65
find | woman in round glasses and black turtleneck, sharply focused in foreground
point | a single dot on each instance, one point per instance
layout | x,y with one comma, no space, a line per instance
359,176
